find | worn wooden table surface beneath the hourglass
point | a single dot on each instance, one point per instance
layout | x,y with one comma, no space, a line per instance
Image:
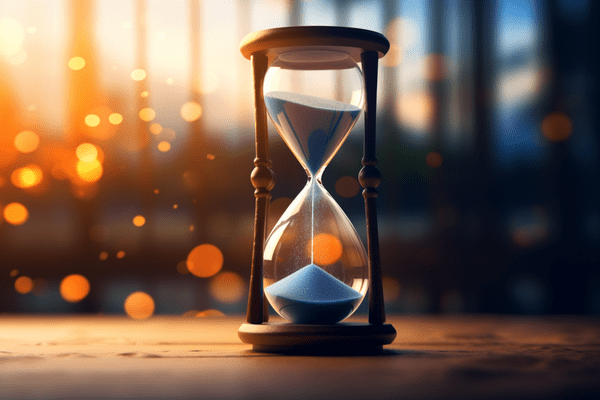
433,357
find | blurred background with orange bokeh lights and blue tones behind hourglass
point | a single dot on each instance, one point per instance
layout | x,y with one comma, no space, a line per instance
127,141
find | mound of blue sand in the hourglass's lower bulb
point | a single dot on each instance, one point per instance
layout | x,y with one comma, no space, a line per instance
312,296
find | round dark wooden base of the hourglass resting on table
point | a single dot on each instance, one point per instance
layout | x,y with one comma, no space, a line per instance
343,338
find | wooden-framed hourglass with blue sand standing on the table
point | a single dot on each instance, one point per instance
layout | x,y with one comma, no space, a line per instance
313,268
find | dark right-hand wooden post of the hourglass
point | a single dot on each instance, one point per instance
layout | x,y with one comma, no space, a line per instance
369,178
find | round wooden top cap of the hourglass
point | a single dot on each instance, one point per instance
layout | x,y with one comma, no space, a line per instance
352,41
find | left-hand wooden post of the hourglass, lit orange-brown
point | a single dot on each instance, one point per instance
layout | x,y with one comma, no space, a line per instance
263,180
